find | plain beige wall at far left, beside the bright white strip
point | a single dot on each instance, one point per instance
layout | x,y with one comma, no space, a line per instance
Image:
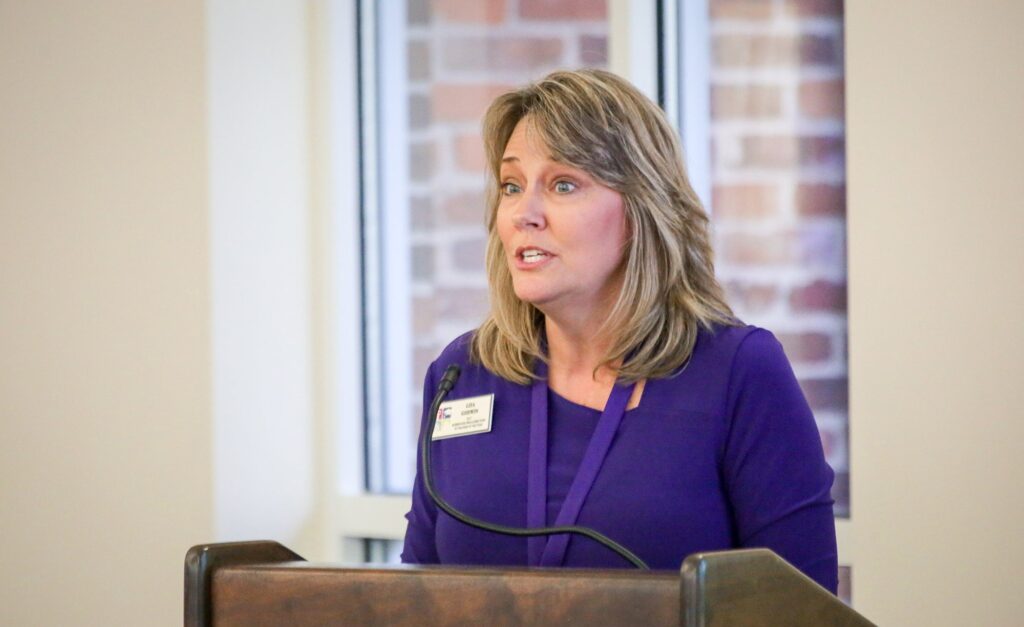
105,310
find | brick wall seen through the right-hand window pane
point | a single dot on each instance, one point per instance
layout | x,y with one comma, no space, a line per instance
779,191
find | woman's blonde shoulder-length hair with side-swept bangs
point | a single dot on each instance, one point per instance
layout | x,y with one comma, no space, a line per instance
599,122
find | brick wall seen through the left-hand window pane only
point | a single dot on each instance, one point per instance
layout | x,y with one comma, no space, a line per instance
462,54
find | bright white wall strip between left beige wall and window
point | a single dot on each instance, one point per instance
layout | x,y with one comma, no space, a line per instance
267,464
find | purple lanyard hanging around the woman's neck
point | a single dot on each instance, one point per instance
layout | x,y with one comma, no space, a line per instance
548,552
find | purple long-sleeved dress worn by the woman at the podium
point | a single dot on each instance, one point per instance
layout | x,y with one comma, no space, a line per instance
724,454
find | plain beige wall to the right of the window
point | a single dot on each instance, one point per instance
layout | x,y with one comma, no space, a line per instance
935,96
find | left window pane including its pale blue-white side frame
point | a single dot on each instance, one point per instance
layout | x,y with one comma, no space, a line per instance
440,65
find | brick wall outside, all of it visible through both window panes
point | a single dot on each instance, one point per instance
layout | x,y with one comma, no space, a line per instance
778,154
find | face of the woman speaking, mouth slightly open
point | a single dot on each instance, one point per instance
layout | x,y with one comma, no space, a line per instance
564,233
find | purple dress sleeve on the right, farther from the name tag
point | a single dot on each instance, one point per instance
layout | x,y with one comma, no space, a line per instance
775,470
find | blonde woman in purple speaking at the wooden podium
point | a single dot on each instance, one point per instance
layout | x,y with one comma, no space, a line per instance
626,397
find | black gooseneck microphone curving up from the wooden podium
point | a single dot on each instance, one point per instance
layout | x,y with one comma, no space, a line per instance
448,383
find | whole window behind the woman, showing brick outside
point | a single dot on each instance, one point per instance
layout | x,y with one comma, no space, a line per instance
756,88
